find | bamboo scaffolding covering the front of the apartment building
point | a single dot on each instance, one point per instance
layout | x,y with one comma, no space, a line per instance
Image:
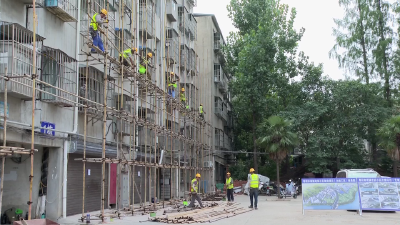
163,136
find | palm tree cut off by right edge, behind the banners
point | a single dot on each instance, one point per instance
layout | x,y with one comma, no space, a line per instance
389,133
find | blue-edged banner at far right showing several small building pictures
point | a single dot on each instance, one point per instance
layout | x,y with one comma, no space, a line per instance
379,194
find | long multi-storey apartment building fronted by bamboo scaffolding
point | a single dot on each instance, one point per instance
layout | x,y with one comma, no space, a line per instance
94,118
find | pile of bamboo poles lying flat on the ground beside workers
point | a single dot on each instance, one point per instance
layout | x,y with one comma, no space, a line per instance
221,211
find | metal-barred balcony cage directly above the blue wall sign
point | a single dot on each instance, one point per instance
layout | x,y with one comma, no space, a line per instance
59,71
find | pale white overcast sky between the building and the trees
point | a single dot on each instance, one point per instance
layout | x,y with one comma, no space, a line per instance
316,16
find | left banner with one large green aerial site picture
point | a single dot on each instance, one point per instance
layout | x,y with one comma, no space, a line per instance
330,194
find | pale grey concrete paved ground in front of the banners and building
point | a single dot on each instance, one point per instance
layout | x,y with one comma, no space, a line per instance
281,212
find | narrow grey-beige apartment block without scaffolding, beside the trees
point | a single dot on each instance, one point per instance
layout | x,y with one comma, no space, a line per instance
217,99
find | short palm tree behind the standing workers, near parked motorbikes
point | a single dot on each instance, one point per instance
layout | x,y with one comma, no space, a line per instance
278,140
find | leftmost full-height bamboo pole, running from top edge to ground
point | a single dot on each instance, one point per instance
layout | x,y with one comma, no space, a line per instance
34,75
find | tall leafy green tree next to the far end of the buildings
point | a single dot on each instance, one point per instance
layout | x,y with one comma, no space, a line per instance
262,56
